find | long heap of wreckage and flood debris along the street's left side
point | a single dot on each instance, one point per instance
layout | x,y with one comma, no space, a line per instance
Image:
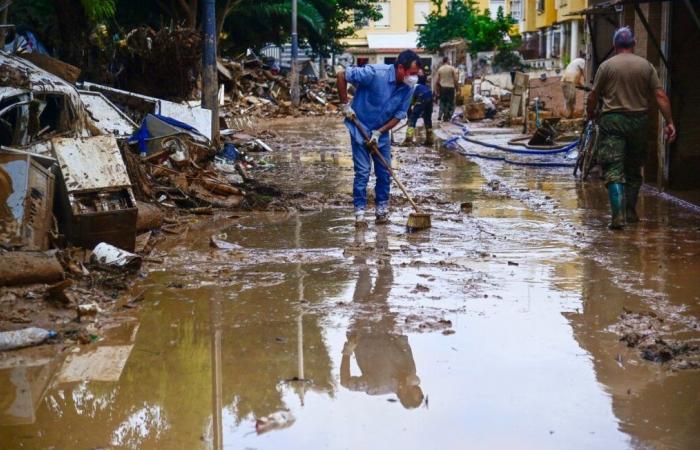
93,177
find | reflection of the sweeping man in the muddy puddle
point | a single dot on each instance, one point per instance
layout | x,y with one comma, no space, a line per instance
382,353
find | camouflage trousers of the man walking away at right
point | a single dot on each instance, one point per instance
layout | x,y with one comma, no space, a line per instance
622,147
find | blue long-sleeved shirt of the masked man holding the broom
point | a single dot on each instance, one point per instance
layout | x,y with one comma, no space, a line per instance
379,97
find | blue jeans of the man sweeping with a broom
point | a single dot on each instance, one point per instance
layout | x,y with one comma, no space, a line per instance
362,161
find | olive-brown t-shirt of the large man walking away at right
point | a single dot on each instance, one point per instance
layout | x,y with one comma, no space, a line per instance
625,83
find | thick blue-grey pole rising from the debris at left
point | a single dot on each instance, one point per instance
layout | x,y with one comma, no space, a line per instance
210,80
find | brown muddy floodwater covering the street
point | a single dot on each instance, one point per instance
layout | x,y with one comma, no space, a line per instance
491,330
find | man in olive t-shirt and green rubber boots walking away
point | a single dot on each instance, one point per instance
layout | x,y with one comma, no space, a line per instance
622,87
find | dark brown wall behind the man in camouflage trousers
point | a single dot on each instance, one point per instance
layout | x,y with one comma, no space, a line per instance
674,31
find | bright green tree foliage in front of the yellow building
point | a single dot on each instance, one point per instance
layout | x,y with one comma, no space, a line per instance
463,20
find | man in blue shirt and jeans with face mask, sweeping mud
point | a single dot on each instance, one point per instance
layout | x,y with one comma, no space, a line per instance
382,95
